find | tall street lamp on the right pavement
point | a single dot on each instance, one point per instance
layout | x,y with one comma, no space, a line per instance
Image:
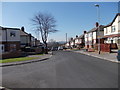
98,17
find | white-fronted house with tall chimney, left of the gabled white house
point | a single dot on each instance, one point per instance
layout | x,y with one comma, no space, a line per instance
91,37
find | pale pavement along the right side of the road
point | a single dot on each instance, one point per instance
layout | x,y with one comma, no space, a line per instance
103,55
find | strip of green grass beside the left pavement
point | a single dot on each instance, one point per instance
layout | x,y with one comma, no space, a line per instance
17,59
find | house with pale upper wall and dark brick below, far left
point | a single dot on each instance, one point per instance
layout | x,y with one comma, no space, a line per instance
9,42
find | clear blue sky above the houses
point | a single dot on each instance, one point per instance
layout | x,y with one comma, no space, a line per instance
72,17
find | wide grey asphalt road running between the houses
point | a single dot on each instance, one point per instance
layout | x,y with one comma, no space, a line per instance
63,70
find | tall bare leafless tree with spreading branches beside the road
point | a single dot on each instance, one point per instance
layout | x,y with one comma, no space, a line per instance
45,24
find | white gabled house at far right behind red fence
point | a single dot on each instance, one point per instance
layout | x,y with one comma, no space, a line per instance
112,32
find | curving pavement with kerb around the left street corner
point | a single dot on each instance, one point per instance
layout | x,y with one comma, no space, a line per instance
40,58
